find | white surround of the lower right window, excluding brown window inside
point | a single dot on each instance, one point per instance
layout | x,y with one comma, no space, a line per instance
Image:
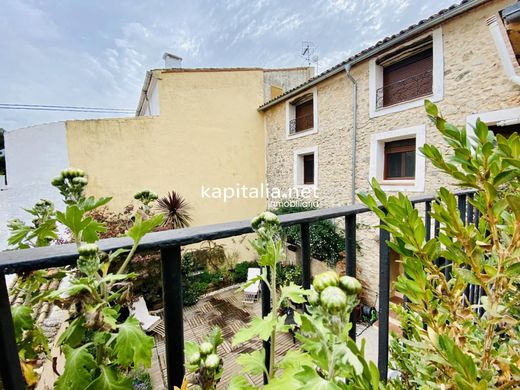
377,159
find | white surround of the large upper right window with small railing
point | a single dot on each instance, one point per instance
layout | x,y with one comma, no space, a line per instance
375,79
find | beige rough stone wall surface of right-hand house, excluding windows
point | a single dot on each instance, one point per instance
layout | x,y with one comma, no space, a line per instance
474,82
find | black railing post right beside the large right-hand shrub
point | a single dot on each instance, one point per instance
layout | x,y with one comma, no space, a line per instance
384,297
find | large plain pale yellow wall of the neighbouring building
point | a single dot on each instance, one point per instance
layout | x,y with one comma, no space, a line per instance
208,133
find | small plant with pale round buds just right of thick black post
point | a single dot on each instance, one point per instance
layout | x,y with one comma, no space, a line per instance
203,360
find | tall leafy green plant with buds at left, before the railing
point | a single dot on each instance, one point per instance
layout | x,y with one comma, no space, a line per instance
100,348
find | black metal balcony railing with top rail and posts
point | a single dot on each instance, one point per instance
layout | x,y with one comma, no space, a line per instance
170,242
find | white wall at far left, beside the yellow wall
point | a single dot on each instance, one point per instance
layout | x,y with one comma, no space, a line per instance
34,155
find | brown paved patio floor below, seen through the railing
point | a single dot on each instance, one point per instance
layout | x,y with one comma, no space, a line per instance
225,309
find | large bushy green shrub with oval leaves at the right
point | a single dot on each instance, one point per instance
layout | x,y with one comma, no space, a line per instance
450,343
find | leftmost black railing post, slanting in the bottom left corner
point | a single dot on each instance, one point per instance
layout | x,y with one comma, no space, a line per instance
10,370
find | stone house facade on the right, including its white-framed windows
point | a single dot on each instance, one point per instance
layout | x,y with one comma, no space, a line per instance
365,117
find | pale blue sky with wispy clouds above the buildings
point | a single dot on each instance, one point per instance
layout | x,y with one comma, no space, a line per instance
95,53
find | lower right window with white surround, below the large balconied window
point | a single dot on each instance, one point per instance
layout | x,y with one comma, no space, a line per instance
394,160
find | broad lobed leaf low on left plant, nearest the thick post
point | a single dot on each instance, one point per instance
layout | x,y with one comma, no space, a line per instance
132,346
